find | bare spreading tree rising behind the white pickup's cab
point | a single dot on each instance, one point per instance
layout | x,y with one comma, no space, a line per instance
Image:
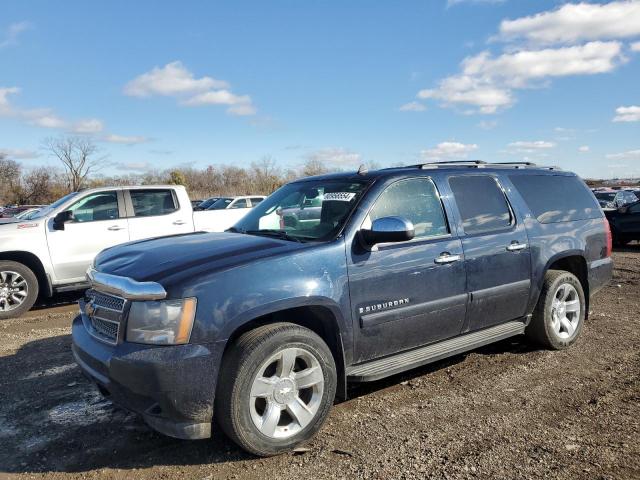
77,155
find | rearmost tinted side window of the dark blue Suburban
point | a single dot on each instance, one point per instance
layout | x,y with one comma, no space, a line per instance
556,198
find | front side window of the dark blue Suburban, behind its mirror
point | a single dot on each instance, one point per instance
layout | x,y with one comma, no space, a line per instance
418,201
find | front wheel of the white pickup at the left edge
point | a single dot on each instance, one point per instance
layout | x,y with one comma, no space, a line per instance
18,289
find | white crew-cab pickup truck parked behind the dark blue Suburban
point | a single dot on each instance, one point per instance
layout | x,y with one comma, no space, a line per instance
51,252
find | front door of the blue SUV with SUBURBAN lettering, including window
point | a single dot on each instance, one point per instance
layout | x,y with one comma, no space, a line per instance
407,294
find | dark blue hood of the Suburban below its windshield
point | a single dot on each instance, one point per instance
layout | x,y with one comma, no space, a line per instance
180,256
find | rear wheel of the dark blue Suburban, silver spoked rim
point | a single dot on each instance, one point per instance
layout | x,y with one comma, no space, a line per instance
558,318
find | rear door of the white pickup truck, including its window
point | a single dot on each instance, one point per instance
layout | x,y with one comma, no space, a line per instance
156,212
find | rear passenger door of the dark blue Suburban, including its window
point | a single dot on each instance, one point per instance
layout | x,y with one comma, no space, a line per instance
496,251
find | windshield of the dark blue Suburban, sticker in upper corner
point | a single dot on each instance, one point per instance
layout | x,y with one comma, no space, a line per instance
304,211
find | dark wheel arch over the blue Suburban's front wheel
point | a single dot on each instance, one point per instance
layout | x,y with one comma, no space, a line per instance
320,317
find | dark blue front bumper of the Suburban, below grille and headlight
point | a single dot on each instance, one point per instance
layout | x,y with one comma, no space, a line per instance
171,387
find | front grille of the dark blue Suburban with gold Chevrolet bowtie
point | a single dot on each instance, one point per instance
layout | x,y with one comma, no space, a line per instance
104,315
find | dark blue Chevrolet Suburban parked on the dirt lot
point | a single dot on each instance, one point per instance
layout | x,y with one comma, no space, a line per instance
260,328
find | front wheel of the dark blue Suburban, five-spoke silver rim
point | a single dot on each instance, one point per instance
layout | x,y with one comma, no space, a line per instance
276,388
